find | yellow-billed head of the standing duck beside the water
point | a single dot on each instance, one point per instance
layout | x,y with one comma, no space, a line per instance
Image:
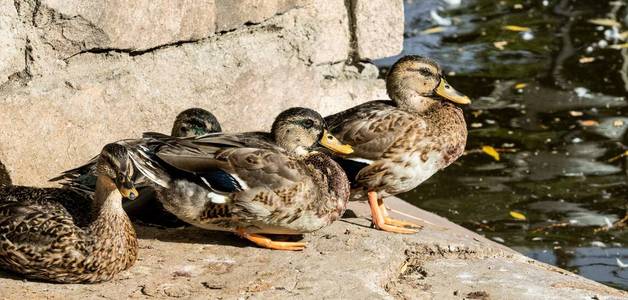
415,83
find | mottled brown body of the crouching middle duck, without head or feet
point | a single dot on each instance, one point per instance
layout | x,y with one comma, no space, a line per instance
276,192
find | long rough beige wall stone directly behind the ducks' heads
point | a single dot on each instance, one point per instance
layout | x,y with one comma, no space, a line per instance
71,107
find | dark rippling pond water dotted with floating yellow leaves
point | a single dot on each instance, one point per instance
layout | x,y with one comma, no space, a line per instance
551,99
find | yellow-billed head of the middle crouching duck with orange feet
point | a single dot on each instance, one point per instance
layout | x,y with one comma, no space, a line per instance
301,130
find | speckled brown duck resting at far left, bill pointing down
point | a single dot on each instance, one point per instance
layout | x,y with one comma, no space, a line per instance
64,236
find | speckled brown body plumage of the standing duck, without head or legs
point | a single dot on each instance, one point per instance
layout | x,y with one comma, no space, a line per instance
405,148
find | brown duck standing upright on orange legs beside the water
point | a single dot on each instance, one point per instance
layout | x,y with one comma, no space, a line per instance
400,143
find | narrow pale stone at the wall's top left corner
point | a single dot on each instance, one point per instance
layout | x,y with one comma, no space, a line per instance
12,42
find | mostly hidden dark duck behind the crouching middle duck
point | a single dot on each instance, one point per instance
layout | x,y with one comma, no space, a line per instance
188,123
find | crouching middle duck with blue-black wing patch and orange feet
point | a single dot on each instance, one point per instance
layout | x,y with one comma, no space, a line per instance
250,183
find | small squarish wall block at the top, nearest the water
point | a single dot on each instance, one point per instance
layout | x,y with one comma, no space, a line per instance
378,28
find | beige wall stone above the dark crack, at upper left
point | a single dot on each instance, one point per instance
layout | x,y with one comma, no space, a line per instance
127,25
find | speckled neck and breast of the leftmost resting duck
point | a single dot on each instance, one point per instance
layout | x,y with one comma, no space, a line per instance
111,228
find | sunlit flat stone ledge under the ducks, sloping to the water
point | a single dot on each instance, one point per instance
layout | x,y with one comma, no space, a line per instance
347,260
